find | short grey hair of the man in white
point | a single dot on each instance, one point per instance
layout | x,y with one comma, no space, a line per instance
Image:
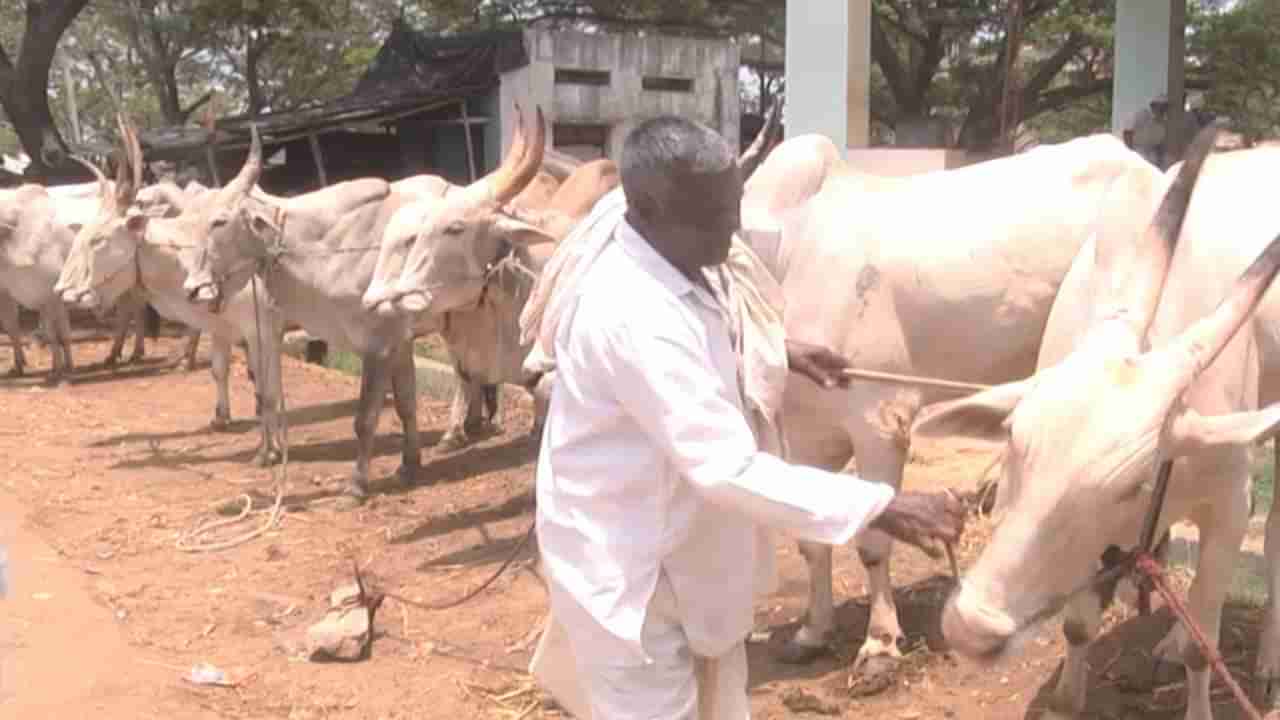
665,145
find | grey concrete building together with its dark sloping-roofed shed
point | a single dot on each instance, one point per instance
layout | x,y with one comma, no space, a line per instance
444,104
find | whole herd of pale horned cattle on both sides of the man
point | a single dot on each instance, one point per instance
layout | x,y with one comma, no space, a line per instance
1118,313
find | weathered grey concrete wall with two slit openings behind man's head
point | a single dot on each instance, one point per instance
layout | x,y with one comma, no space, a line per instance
588,84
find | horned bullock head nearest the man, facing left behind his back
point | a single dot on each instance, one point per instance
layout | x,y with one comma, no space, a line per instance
442,265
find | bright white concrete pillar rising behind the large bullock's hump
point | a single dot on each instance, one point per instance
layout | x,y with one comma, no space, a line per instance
829,71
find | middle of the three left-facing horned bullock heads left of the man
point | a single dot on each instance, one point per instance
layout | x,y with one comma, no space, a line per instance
231,234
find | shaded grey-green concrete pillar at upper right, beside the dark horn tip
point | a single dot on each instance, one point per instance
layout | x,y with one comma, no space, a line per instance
1150,49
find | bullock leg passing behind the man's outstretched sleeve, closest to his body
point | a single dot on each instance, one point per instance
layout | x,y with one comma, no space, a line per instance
820,446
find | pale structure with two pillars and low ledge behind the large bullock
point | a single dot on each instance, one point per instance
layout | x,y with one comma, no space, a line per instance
829,76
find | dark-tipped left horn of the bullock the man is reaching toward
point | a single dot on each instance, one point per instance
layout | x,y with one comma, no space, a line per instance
1135,272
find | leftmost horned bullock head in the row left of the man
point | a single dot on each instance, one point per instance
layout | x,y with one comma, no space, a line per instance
103,262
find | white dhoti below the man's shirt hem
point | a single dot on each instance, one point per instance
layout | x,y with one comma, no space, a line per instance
676,686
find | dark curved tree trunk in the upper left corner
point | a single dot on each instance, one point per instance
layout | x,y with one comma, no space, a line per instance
25,83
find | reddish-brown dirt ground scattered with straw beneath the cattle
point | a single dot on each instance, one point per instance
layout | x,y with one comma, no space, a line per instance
107,614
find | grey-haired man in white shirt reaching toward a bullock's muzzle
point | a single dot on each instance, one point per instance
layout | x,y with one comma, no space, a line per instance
653,495
